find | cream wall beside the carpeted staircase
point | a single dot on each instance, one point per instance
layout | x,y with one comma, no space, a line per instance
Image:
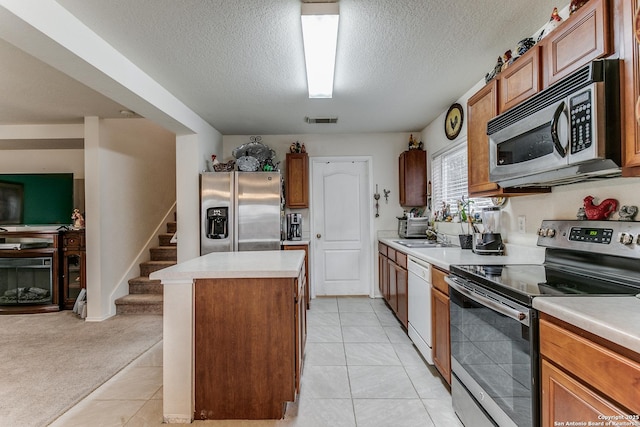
130,179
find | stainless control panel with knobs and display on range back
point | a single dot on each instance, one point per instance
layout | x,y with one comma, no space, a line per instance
608,237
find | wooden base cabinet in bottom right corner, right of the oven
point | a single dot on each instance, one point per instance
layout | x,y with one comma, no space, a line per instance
584,377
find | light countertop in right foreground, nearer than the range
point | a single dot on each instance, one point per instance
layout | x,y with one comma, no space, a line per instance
616,319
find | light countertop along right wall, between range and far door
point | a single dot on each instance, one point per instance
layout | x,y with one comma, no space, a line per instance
447,256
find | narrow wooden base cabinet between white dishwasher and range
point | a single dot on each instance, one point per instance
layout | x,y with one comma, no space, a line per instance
440,319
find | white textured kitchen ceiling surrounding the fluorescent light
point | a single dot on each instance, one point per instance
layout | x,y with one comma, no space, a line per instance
239,64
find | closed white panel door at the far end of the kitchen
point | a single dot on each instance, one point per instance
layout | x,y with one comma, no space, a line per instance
341,226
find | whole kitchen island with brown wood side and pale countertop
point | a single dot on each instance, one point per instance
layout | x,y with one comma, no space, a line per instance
233,335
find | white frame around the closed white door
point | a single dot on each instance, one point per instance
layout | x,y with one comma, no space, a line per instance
368,160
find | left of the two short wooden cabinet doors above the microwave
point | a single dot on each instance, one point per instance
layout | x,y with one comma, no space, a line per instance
520,80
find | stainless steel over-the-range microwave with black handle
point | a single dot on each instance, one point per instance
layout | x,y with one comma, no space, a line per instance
569,132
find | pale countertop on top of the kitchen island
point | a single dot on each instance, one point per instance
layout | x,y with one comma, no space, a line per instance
248,264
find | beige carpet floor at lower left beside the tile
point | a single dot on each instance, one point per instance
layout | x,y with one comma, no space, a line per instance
49,362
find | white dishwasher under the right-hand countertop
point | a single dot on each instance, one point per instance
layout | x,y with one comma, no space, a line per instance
420,306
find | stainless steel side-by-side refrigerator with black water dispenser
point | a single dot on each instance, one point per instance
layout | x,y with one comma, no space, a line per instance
239,211
